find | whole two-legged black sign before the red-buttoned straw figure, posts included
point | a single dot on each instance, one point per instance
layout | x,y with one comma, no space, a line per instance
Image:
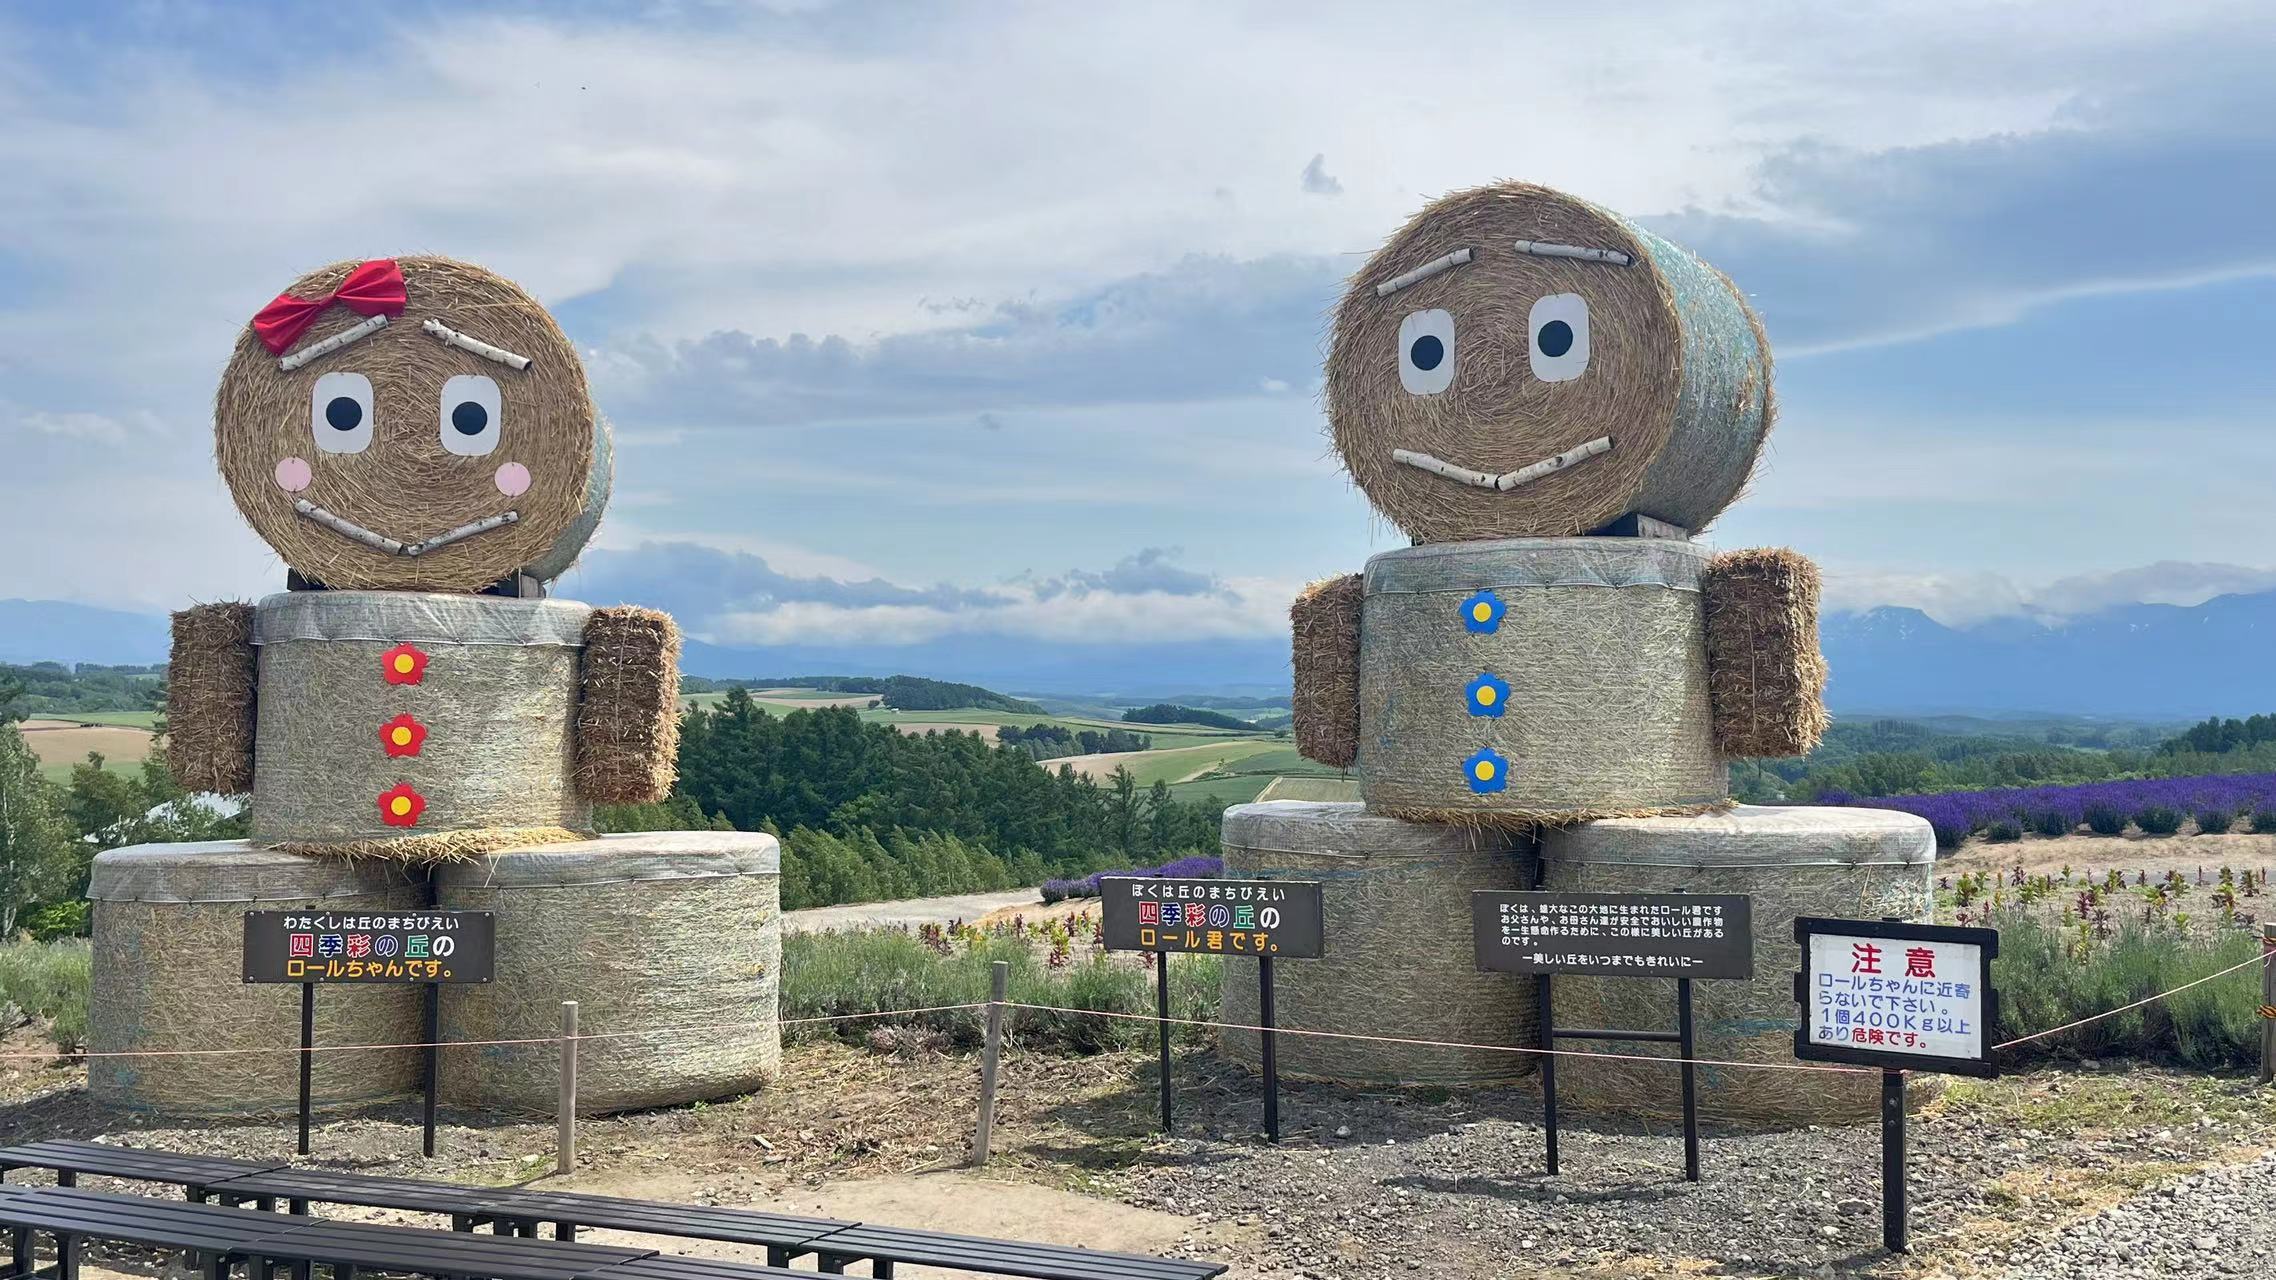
397,949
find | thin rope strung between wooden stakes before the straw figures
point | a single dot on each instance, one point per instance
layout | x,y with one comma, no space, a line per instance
2263,960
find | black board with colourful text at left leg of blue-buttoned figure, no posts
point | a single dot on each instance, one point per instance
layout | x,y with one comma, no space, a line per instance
1276,919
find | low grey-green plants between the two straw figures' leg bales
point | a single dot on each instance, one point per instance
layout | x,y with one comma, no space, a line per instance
871,971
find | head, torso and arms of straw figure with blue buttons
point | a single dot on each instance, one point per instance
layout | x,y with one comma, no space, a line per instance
1551,402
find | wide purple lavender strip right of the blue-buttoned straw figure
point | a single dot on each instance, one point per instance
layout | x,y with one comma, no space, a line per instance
2154,807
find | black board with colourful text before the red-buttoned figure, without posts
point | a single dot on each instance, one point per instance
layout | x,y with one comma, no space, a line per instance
395,946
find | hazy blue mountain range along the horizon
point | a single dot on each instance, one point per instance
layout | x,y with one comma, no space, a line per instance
2134,662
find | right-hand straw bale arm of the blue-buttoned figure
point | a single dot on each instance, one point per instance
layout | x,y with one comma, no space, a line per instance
1765,673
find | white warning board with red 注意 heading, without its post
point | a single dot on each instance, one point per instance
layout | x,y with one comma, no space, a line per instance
1899,996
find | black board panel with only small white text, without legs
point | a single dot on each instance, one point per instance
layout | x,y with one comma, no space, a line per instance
1619,935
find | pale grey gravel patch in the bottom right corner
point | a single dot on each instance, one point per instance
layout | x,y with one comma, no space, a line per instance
2207,1226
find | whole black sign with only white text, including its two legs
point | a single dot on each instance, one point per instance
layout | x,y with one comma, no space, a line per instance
1615,935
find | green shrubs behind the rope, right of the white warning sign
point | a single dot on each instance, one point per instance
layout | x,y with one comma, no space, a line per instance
2047,980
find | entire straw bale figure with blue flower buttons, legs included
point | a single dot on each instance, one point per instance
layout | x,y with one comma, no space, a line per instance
1547,689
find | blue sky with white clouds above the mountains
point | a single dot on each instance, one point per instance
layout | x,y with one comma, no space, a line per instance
1005,320
